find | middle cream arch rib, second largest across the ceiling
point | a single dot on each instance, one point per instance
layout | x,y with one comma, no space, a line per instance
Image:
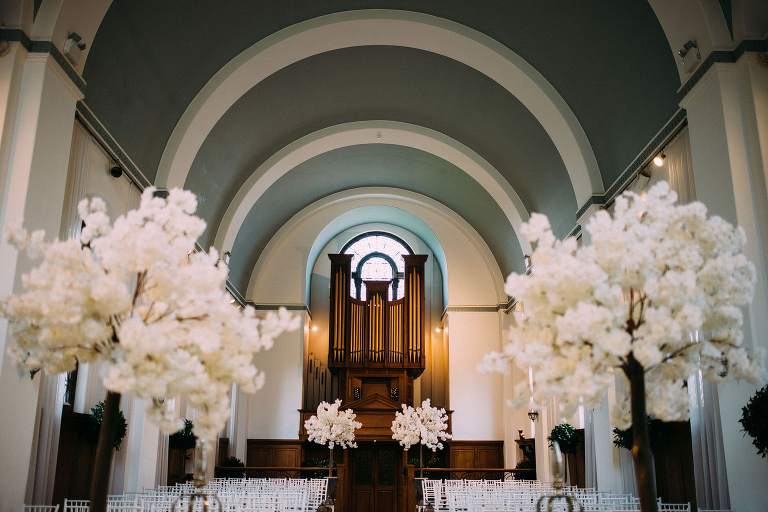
370,132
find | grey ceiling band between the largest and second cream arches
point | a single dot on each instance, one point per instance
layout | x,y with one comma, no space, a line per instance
404,85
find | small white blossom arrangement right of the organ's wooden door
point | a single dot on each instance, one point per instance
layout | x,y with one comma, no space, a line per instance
425,425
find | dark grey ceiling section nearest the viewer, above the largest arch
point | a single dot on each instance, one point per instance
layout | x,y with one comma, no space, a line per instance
610,61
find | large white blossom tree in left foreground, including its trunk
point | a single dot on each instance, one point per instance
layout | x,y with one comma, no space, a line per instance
137,297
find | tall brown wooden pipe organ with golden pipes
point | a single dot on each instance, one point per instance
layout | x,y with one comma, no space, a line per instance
376,345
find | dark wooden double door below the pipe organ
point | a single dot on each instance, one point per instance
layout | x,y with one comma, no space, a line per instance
374,475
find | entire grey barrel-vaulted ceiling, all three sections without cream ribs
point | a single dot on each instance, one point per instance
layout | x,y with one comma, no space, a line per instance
608,60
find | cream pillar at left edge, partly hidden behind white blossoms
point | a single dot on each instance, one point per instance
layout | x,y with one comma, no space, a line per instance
37,132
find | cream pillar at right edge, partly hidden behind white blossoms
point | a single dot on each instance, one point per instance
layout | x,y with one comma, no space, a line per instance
728,116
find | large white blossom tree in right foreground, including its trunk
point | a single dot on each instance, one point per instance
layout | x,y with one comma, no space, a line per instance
655,296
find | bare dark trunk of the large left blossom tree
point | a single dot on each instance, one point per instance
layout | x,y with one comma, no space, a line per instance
102,464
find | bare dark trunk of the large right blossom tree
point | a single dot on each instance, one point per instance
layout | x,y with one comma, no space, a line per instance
641,441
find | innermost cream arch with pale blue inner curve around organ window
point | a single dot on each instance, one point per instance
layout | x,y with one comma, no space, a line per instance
471,275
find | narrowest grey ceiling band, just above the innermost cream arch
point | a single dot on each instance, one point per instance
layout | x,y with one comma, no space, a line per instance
375,165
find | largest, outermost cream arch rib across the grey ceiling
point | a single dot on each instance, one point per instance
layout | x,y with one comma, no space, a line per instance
388,28
